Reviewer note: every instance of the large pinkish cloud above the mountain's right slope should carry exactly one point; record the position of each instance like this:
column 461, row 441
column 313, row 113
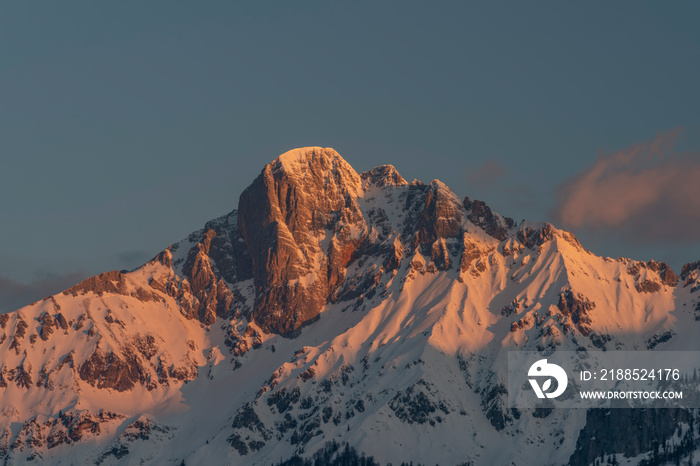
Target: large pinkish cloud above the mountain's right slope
column 644, row 193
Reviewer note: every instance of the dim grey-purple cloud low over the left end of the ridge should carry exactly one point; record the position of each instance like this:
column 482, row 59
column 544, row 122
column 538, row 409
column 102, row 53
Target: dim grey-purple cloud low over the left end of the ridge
column 14, row 294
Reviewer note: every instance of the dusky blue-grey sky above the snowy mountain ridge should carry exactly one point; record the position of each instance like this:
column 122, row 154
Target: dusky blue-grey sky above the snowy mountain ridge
column 124, row 126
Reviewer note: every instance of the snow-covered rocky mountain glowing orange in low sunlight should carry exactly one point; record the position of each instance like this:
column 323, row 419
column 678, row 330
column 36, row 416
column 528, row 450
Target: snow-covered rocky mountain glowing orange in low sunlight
column 334, row 307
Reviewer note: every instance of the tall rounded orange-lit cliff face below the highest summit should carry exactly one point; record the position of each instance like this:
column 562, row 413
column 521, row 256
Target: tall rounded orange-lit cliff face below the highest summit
column 302, row 225
